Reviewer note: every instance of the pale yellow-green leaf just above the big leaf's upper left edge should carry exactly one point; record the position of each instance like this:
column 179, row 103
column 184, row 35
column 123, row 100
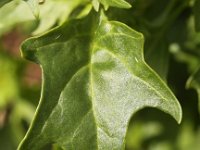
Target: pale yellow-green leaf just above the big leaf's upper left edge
column 55, row 11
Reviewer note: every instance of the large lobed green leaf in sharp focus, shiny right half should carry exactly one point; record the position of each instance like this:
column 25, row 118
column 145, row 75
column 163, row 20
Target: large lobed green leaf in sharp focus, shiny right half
column 94, row 79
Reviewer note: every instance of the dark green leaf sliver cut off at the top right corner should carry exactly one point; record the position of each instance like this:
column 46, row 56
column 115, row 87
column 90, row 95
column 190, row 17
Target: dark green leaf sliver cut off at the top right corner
column 197, row 15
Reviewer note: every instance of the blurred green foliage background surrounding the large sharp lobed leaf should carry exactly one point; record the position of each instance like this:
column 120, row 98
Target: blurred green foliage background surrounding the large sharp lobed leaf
column 172, row 48
